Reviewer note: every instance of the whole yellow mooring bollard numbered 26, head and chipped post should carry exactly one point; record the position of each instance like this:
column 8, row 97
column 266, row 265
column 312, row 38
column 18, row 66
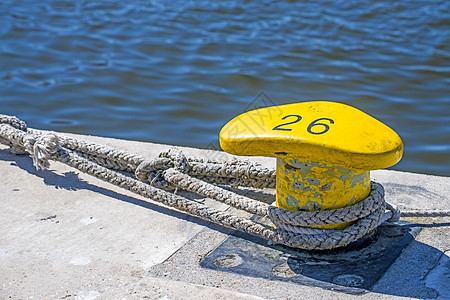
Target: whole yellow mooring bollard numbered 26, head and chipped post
column 325, row 151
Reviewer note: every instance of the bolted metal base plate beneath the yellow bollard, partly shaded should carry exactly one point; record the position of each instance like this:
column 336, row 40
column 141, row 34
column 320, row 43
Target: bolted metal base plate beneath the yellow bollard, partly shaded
column 353, row 269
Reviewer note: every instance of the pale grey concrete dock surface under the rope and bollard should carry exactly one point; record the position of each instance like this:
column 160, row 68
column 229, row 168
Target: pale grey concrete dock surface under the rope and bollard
column 67, row 235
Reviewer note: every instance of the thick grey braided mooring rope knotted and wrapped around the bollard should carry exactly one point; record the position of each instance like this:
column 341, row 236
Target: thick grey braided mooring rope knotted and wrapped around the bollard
column 160, row 179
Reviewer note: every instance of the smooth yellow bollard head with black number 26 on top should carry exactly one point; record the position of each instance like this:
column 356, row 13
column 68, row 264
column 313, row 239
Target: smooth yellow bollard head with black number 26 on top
column 319, row 131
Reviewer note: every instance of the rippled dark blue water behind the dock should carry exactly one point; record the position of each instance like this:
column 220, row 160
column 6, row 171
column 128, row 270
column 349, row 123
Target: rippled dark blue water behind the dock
column 176, row 71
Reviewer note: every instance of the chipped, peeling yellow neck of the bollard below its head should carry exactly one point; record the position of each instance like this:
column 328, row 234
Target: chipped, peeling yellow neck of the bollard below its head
column 312, row 186
